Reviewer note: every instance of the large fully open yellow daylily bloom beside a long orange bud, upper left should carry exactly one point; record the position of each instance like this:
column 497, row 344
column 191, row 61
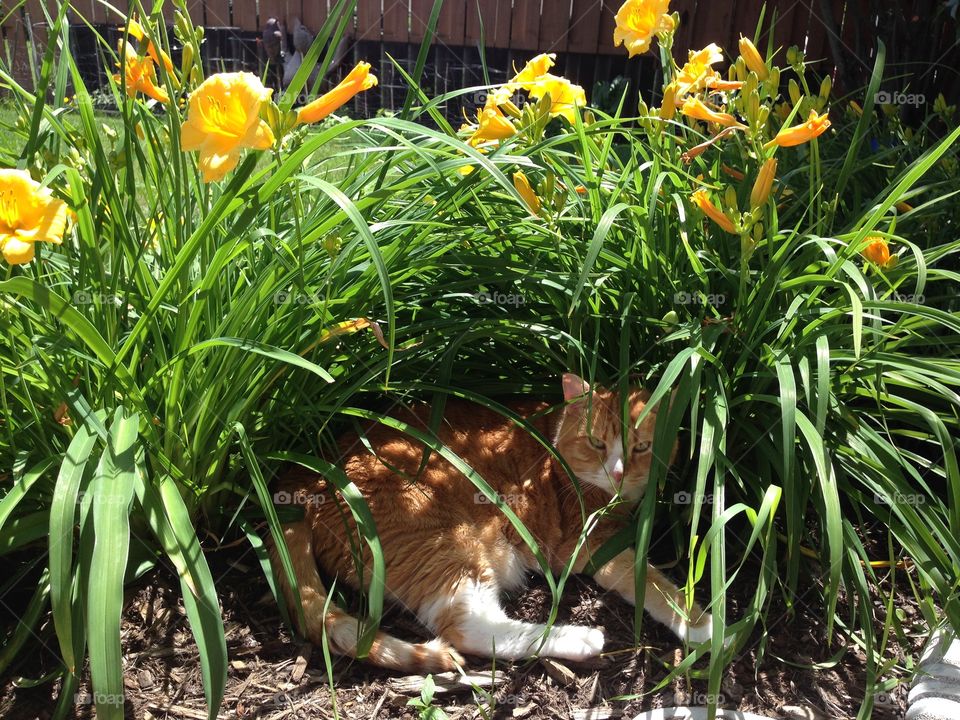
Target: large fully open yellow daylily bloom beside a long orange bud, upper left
column 223, row 118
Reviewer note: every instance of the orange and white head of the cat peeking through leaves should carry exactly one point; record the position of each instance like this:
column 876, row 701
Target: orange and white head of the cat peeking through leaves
column 590, row 438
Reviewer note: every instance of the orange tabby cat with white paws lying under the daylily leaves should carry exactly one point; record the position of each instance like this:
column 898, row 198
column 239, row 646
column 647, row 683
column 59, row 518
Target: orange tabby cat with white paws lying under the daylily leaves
column 449, row 553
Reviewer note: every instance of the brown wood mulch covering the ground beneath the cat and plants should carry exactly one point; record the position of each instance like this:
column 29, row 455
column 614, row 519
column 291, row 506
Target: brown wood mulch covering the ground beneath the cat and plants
column 273, row 676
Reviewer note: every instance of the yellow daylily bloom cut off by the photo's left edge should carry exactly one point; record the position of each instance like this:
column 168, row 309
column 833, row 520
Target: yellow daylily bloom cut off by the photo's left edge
column 28, row 214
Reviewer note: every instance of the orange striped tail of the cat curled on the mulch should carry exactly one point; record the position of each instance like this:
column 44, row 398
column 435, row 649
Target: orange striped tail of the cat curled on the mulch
column 342, row 630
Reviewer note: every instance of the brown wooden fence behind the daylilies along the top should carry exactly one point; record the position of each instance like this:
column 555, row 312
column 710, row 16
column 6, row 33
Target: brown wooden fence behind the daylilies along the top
column 840, row 34
